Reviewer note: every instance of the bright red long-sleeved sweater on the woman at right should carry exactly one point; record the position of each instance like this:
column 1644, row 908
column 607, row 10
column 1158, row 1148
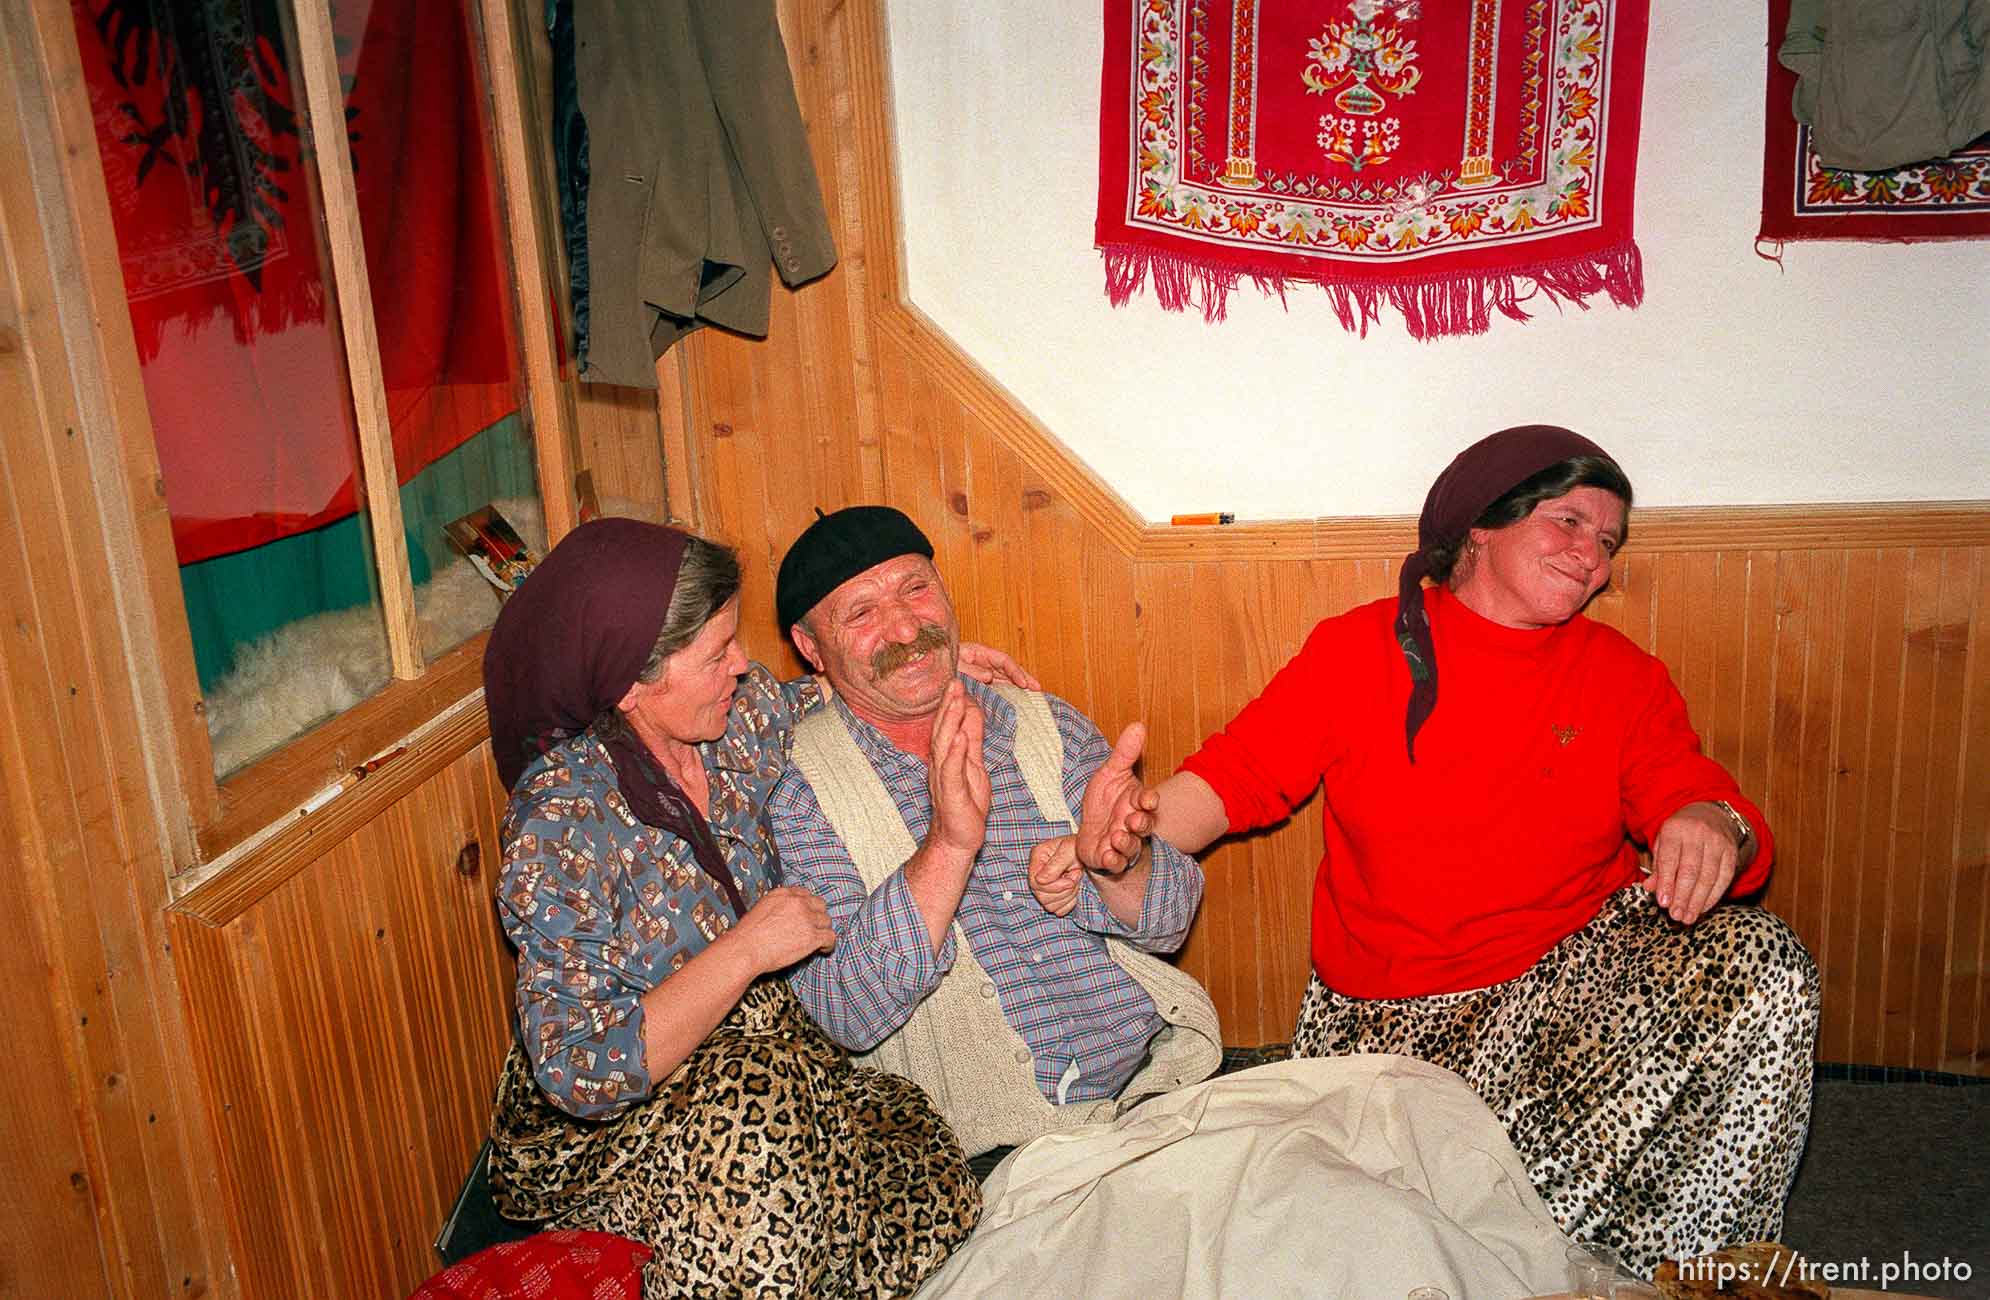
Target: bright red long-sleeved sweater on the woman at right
column 1551, row 752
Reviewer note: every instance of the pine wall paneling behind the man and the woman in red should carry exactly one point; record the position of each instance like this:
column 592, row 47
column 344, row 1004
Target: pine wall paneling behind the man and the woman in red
column 1838, row 660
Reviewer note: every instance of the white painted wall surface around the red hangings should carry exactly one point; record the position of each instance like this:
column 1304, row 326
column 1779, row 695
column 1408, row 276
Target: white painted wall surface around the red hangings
column 1860, row 373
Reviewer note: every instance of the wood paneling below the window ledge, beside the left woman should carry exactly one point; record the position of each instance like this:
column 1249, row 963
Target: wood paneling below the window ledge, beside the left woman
column 349, row 1028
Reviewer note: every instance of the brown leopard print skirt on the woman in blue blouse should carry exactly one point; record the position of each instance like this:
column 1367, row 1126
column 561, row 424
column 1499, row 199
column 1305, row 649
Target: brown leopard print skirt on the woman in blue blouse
column 767, row 1166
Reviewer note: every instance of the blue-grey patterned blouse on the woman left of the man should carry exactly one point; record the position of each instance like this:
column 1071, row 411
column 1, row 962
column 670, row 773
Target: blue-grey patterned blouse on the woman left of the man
column 604, row 909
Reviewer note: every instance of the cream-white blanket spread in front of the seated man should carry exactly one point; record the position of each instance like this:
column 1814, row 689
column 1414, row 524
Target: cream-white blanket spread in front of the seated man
column 1360, row 1178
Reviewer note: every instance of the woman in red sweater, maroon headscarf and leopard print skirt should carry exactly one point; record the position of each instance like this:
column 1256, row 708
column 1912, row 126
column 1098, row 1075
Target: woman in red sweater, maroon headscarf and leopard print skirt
column 1482, row 903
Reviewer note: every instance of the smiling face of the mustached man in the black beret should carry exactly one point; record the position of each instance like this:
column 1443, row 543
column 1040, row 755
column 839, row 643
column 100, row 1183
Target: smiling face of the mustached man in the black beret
column 887, row 640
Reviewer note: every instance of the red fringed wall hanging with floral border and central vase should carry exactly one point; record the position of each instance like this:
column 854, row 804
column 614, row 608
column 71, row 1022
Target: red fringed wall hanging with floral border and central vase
column 1448, row 158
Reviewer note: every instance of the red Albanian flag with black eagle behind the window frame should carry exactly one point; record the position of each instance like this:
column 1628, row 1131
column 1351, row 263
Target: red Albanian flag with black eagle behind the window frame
column 216, row 206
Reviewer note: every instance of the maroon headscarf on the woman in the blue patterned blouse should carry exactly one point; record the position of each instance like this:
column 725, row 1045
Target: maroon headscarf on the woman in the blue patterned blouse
column 570, row 644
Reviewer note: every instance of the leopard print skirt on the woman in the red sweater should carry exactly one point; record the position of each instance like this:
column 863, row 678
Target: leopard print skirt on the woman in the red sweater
column 1657, row 1078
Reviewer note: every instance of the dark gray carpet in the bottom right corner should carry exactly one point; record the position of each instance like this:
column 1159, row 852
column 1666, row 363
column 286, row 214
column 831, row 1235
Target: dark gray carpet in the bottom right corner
column 1897, row 1174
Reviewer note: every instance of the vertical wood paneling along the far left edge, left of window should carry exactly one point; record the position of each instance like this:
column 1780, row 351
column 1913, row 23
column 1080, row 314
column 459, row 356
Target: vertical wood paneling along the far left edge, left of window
column 108, row 1168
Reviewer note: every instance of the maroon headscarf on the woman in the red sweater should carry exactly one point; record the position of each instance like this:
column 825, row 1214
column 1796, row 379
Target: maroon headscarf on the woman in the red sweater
column 1466, row 491
